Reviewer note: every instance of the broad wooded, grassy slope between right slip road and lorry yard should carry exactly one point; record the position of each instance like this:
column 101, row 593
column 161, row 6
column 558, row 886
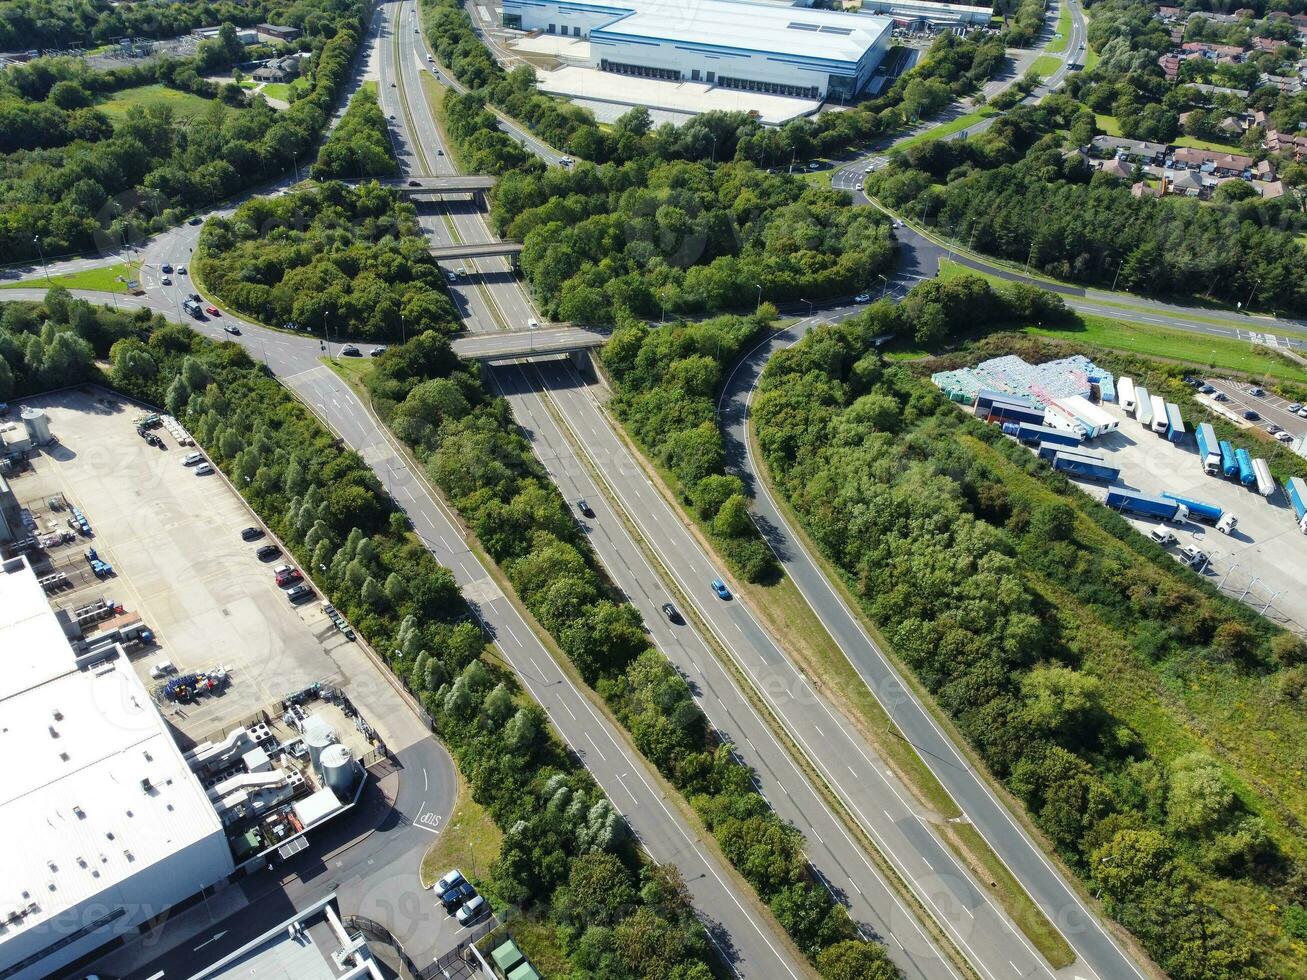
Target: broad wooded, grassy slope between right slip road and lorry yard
column 1040, row 621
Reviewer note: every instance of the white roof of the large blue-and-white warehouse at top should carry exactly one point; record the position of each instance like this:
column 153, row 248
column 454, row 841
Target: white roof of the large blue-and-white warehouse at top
column 789, row 32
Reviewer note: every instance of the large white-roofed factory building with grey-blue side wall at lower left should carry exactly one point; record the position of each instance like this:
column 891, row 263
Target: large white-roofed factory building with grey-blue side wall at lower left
column 104, row 823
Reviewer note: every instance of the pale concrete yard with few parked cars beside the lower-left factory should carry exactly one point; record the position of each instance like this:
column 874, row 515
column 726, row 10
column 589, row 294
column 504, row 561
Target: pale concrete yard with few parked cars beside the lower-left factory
column 174, row 542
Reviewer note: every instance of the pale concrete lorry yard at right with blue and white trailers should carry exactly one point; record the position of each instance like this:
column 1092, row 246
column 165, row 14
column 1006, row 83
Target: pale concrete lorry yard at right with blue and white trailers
column 1262, row 563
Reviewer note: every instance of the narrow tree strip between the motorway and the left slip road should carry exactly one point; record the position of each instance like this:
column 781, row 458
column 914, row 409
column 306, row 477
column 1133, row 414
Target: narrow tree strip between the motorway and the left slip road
column 471, row 449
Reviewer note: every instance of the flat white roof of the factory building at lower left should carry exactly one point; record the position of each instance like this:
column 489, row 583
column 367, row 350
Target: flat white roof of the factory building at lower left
column 96, row 790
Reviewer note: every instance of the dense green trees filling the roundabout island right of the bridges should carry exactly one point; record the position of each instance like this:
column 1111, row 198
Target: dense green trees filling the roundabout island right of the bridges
column 648, row 238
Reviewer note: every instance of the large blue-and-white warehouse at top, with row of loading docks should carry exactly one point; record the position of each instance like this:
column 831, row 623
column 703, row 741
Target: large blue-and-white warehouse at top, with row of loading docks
column 739, row 45
